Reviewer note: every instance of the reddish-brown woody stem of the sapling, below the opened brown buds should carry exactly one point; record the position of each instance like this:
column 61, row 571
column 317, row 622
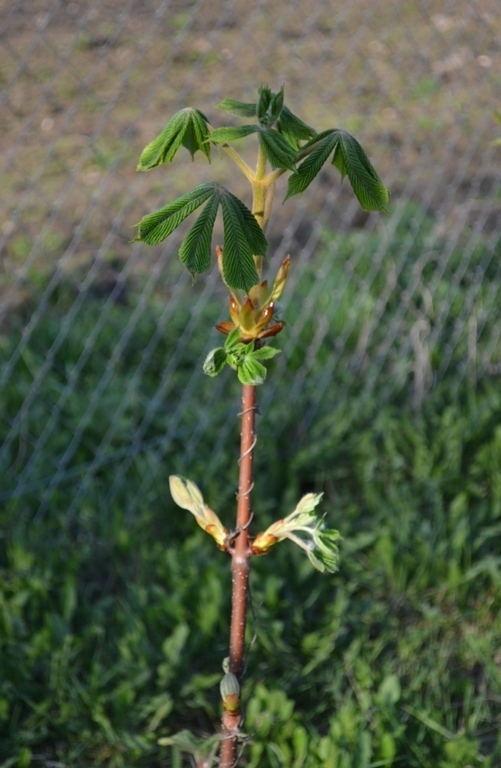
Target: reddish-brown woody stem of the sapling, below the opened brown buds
column 240, row 568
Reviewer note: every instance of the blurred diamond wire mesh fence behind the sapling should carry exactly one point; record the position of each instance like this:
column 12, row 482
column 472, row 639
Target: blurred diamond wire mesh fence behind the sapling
column 86, row 85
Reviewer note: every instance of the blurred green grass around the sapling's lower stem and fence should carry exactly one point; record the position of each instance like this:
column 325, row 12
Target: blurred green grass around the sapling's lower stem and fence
column 114, row 611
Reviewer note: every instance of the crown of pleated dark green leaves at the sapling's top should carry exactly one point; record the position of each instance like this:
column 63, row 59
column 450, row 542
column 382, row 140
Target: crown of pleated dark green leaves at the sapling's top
column 289, row 145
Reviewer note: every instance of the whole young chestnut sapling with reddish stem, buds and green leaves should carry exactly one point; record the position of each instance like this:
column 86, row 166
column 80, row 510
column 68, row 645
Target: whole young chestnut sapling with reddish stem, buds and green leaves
column 285, row 144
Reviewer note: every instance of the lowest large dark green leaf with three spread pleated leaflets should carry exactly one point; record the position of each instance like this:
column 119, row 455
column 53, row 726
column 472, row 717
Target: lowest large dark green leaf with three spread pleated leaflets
column 243, row 237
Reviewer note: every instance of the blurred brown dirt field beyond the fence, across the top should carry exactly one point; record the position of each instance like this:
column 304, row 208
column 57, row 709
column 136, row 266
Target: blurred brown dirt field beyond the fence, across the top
column 85, row 85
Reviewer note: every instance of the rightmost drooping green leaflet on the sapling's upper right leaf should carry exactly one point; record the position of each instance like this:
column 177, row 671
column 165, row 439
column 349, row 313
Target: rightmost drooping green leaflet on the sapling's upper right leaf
column 350, row 159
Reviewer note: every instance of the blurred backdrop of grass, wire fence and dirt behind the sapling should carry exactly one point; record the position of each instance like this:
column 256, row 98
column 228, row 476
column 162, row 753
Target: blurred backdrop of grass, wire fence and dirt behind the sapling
column 386, row 394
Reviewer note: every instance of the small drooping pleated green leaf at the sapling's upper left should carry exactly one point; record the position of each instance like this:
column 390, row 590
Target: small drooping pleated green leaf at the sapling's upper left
column 188, row 128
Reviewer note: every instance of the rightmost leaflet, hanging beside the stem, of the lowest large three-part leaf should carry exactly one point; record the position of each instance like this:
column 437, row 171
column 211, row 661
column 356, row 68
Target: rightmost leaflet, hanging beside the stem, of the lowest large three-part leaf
column 243, row 238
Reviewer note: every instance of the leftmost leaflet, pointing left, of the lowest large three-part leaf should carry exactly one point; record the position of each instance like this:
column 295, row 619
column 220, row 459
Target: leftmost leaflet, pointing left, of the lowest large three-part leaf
column 156, row 226
